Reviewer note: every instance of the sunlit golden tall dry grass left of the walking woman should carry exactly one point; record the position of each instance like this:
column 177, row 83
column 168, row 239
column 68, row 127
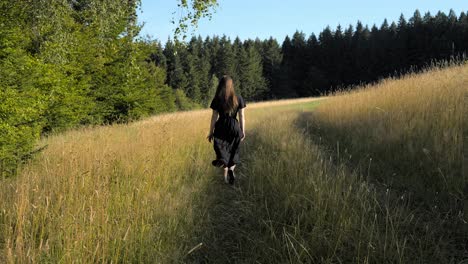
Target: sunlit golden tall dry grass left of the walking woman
column 122, row 193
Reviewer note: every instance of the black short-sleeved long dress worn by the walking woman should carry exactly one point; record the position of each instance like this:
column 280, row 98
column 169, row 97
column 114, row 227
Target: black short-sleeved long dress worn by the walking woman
column 227, row 134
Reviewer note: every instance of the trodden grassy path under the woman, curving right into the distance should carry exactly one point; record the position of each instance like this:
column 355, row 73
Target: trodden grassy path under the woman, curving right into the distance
column 232, row 230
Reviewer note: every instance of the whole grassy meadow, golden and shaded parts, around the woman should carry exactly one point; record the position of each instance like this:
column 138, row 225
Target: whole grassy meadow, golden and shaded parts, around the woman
column 368, row 176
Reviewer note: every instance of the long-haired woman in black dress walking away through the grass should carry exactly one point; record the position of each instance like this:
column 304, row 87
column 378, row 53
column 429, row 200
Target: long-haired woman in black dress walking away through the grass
column 225, row 130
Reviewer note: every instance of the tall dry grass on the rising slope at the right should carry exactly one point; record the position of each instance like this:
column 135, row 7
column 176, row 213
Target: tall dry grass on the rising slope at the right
column 406, row 135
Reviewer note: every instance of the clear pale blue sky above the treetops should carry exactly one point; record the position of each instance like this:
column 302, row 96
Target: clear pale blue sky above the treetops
column 278, row 18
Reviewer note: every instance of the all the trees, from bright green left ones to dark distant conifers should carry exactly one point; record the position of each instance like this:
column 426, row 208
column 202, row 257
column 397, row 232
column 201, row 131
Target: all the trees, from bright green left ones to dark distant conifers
column 69, row 63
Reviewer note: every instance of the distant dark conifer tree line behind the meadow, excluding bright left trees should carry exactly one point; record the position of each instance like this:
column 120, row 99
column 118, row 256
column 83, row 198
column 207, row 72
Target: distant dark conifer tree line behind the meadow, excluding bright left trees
column 314, row 65
